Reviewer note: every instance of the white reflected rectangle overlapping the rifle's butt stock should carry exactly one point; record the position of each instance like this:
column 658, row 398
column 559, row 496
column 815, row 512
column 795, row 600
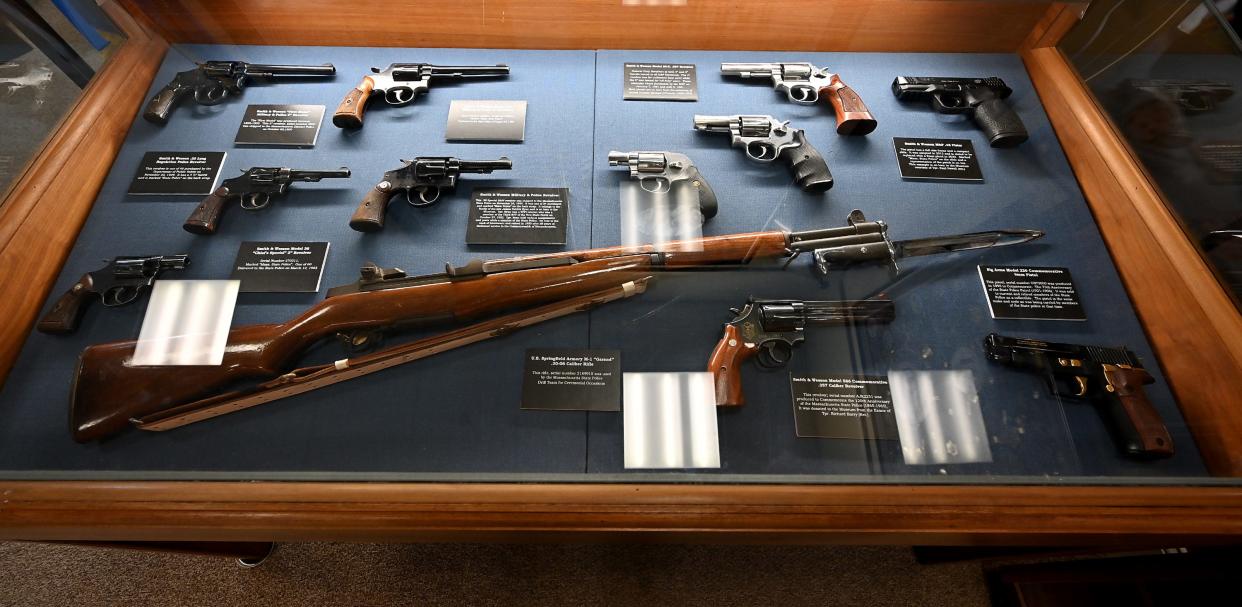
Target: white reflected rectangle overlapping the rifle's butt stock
column 187, row 323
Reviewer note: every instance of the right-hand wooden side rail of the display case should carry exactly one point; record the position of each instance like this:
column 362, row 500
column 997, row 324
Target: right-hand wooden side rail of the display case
column 1190, row 320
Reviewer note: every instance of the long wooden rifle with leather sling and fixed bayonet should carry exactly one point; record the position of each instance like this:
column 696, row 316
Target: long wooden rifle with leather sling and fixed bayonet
column 110, row 394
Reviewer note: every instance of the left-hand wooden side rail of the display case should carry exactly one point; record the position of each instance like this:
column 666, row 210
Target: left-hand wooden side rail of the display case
column 42, row 218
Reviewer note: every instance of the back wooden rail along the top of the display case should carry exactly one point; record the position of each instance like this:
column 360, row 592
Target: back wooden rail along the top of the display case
column 823, row 25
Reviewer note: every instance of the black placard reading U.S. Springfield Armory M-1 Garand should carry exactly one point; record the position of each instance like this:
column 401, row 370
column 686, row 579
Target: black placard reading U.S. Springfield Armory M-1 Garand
column 572, row 380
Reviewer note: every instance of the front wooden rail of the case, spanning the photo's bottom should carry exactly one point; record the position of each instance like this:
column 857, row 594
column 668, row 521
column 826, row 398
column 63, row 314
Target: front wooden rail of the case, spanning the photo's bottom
column 420, row 512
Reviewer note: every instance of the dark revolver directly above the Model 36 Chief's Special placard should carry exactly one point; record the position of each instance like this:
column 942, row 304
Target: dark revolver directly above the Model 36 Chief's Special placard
column 254, row 189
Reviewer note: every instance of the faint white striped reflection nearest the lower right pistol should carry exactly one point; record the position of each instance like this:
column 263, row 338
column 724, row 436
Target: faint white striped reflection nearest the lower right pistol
column 938, row 418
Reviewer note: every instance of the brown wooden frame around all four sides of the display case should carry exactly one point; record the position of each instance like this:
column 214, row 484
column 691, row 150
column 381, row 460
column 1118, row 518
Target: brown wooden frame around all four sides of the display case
column 1190, row 320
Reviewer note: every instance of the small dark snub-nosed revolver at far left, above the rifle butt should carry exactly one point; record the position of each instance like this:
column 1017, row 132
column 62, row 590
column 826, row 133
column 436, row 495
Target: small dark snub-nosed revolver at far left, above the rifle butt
column 117, row 284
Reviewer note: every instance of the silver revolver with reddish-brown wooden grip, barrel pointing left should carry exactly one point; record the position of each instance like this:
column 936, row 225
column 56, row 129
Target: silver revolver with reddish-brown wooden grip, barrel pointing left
column 805, row 84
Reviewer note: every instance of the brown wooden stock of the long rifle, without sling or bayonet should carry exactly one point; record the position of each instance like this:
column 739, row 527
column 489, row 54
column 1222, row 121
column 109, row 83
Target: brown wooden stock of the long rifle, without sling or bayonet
column 109, row 392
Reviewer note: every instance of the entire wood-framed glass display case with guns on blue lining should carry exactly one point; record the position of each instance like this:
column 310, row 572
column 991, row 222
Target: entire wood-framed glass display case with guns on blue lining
column 917, row 261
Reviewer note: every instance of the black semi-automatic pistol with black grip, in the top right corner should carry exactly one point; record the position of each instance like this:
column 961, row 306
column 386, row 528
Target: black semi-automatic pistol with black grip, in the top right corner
column 981, row 99
